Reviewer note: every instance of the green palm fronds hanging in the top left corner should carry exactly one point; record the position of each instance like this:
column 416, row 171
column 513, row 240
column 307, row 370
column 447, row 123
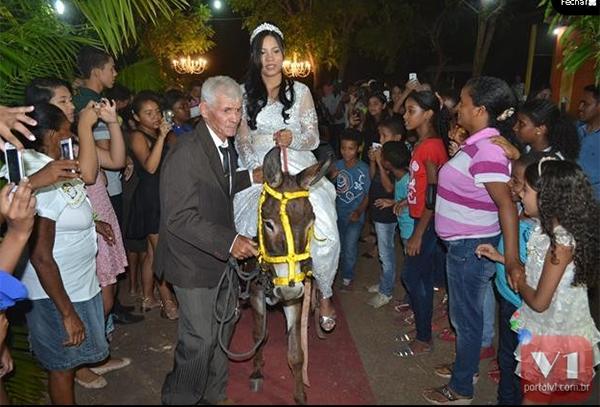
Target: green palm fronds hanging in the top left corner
column 35, row 42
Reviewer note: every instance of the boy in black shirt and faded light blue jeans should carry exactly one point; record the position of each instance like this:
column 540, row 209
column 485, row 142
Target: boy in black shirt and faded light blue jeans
column 385, row 221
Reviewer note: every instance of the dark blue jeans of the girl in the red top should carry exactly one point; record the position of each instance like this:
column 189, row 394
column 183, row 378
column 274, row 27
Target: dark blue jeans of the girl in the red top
column 418, row 278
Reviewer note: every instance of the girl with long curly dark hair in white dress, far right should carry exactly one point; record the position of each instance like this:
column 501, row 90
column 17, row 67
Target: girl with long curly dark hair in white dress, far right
column 562, row 262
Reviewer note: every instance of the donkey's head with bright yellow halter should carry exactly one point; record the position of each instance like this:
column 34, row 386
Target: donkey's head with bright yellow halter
column 286, row 223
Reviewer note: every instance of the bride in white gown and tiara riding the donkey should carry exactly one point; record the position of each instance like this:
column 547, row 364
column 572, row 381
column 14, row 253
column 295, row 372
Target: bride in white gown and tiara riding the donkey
column 273, row 102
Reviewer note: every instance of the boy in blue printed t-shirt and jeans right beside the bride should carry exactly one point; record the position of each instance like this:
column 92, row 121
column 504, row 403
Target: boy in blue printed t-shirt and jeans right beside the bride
column 352, row 181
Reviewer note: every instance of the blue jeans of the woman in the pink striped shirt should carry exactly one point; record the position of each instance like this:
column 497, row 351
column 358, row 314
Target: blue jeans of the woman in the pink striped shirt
column 468, row 280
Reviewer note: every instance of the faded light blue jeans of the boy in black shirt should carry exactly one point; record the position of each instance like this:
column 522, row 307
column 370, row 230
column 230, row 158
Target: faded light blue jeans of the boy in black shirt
column 387, row 256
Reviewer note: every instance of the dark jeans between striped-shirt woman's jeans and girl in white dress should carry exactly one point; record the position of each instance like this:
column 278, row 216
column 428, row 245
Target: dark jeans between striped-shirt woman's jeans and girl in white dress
column 509, row 388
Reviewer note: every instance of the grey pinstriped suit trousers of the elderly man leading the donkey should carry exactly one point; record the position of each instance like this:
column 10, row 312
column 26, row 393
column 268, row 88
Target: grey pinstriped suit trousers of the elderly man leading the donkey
column 200, row 372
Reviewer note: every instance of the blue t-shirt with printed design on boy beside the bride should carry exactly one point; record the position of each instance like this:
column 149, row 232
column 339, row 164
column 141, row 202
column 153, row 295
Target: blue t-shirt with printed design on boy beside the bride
column 351, row 186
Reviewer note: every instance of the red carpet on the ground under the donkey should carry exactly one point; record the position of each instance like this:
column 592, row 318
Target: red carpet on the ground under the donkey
column 335, row 370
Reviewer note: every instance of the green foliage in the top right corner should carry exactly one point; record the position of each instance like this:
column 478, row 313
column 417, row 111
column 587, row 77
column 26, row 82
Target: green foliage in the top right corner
column 580, row 40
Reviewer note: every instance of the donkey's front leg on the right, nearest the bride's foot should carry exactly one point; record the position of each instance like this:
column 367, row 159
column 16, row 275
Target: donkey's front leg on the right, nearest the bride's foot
column 295, row 354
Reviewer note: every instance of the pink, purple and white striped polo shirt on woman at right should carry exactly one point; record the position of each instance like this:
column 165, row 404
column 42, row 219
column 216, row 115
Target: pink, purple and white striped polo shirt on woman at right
column 464, row 209
